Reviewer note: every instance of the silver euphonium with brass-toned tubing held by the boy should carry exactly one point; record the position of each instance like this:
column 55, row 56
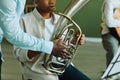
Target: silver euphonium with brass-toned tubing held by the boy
column 65, row 29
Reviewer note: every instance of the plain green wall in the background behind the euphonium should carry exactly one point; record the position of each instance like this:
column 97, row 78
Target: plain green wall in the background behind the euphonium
column 88, row 18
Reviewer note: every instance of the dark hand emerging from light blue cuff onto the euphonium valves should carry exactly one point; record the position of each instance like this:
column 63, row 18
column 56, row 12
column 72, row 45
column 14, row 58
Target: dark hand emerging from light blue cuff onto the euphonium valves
column 60, row 49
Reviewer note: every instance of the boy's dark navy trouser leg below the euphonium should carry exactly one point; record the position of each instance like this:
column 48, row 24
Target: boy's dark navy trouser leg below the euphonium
column 71, row 73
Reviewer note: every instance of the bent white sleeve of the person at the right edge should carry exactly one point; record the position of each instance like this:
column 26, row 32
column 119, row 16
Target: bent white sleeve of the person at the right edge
column 109, row 12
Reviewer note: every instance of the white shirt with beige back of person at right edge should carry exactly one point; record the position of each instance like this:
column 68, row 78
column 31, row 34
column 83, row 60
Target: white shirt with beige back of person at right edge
column 107, row 15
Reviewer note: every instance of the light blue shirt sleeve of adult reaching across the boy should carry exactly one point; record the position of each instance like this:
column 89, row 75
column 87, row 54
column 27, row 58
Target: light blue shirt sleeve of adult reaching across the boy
column 9, row 23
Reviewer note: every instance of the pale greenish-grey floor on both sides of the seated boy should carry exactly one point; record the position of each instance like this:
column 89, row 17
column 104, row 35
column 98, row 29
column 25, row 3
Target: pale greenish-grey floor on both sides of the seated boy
column 90, row 59
